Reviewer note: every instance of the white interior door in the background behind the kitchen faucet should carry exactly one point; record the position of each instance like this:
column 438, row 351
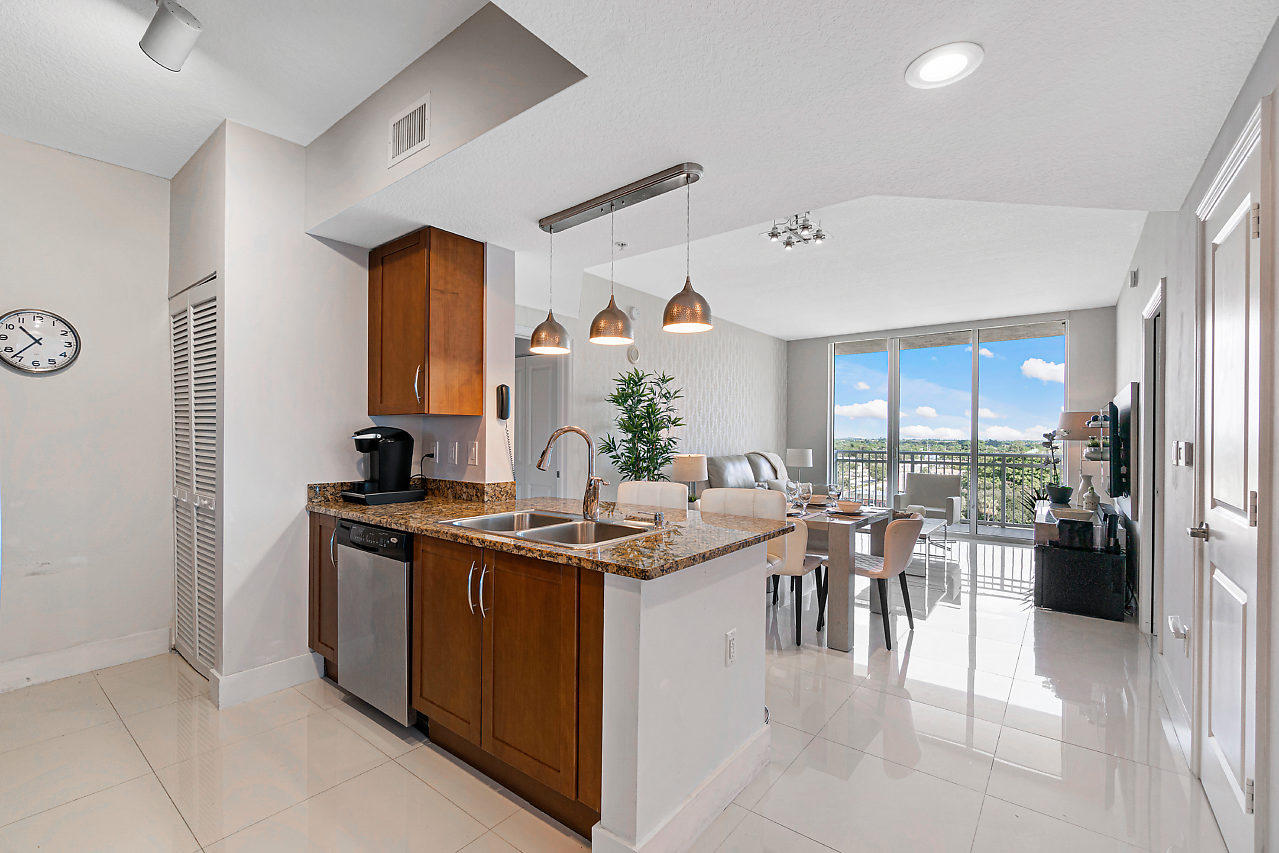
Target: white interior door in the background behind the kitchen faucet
column 538, row 411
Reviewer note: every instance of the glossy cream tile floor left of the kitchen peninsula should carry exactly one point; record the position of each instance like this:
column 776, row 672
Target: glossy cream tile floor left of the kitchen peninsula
column 136, row 758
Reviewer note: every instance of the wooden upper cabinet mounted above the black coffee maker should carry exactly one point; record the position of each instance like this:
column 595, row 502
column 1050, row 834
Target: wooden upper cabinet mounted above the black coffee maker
column 427, row 302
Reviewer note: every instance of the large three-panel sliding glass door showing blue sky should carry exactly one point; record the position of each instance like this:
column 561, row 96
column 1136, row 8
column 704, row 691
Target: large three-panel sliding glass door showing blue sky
column 973, row 405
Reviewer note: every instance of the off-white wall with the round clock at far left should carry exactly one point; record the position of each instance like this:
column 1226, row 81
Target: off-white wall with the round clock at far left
column 86, row 549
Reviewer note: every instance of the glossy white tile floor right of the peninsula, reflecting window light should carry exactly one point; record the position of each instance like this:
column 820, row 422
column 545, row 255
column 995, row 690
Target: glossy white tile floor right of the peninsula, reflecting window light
column 991, row 727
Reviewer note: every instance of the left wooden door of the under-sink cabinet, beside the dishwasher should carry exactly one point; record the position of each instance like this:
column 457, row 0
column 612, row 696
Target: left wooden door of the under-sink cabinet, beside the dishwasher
column 448, row 635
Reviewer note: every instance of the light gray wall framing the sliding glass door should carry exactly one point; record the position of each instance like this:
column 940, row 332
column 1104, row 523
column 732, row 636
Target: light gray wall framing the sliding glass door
column 1089, row 377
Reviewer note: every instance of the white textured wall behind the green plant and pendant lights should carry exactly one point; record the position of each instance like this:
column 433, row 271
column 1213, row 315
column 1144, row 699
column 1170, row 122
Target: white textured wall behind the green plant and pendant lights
column 734, row 380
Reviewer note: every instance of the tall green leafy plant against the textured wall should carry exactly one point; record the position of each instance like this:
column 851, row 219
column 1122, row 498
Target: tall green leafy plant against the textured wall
column 647, row 415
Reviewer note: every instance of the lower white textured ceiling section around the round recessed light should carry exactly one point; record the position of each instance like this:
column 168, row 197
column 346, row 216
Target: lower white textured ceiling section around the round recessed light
column 797, row 106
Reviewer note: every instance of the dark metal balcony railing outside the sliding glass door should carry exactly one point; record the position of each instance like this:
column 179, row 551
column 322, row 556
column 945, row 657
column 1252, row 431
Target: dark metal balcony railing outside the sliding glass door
column 1005, row 480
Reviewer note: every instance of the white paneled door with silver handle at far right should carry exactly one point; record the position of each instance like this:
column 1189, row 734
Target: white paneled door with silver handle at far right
column 1228, row 494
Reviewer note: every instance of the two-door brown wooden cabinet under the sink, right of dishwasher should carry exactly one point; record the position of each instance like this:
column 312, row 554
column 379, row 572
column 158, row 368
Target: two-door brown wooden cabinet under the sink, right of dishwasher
column 507, row 661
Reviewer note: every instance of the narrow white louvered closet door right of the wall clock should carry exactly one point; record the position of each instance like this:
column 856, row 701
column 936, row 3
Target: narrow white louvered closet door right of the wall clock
column 194, row 328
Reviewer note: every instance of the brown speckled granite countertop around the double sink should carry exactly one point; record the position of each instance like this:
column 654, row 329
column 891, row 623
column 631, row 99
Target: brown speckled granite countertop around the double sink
column 687, row 539
